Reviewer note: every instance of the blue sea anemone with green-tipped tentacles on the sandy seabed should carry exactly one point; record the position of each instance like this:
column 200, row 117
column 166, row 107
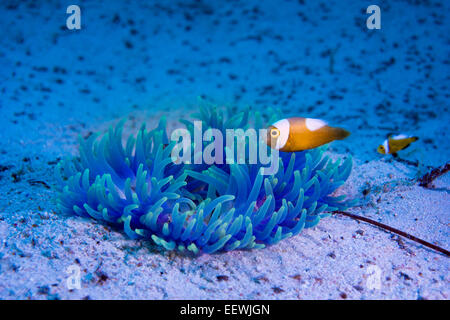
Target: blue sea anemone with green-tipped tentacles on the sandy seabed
column 198, row 208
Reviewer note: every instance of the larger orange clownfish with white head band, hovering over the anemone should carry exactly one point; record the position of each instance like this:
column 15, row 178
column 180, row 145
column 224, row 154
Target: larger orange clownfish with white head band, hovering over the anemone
column 298, row 134
